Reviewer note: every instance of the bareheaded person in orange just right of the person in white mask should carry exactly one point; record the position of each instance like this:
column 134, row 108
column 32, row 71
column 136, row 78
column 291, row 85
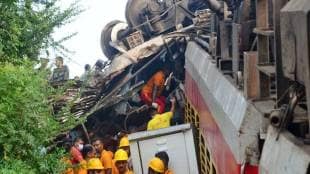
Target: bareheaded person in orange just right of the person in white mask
column 88, row 153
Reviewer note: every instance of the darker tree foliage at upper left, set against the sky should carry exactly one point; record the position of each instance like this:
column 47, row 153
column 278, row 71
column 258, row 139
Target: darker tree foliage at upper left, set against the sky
column 26, row 27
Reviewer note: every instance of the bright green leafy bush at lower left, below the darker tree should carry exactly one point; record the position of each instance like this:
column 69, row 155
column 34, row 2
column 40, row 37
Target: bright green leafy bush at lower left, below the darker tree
column 26, row 122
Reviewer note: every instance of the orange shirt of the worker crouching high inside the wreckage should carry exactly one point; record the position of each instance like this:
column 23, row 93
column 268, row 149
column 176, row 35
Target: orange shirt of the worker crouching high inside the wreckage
column 158, row 79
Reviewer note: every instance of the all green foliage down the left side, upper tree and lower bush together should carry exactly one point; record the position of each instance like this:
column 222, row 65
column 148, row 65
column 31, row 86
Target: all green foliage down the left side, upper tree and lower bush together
column 27, row 125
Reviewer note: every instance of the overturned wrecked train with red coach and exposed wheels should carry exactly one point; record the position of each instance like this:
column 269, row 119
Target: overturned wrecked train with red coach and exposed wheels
column 241, row 74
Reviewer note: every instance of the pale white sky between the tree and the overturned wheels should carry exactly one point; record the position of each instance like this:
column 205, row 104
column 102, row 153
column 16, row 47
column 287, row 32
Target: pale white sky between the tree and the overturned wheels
column 89, row 24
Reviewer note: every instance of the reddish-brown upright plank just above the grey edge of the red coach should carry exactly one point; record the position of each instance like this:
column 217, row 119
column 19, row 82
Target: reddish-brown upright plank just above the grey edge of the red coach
column 251, row 88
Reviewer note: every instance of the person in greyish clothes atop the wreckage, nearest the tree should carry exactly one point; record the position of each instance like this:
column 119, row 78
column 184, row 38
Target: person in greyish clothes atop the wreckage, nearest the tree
column 61, row 72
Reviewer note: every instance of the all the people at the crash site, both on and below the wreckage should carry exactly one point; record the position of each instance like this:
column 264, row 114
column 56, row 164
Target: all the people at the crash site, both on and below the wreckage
column 95, row 158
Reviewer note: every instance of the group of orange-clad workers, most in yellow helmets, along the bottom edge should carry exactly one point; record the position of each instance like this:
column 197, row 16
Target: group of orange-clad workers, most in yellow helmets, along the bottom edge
column 96, row 159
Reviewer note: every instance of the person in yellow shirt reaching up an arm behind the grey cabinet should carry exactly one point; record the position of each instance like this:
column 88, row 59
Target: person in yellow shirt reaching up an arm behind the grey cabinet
column 159, row 121
